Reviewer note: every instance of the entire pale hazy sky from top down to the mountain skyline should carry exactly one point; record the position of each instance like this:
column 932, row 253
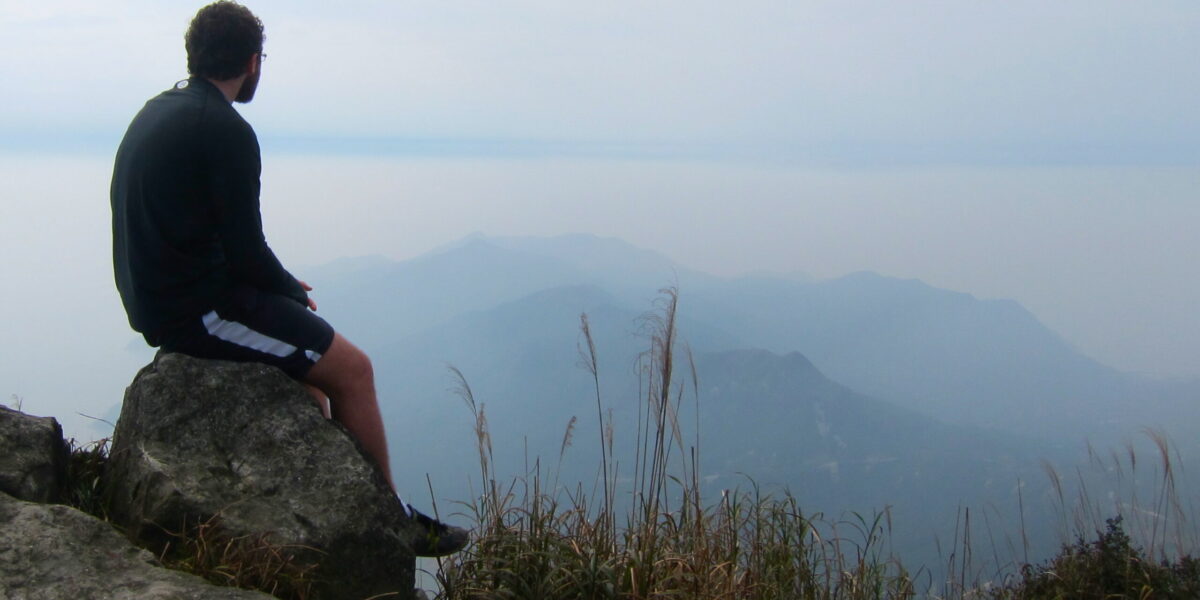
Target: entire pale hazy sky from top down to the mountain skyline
column 1042, row 152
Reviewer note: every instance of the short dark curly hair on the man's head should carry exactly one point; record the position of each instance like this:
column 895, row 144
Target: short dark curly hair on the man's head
column 221, row 39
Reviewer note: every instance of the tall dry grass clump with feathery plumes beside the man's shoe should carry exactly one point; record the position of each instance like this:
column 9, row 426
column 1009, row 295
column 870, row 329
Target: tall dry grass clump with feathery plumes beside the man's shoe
column 536, row 543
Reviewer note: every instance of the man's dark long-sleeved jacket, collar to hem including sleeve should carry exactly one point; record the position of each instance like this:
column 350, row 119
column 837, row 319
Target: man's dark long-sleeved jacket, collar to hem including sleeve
column 187, row 226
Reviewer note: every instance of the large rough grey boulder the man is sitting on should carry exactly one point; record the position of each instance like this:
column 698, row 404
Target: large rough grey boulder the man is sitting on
column 248, row 446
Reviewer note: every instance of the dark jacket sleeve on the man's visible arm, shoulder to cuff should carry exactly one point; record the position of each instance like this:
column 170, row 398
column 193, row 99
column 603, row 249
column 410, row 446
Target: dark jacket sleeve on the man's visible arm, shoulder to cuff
column 235, row 171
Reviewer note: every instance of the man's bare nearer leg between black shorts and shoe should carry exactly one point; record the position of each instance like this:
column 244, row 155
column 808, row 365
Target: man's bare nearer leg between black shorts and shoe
column 346, row 376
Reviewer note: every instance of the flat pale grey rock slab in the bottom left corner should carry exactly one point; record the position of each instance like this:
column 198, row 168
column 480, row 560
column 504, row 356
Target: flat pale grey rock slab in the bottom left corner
column 55, row 553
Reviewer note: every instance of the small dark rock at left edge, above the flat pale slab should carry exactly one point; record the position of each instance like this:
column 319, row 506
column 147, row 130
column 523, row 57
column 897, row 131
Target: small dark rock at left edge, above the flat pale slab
column 33, row 457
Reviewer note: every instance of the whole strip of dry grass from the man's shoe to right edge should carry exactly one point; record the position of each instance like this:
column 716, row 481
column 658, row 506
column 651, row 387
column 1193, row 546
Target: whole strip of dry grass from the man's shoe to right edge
column 537, row 542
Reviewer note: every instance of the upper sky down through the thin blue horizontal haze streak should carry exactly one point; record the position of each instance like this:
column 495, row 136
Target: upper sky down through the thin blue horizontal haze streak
column 847, row 82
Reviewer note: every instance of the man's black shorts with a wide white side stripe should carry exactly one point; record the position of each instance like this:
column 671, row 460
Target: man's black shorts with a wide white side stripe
column 256, row 327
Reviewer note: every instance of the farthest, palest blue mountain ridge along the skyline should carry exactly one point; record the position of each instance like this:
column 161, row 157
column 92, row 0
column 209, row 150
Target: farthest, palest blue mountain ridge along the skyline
column 946, row 355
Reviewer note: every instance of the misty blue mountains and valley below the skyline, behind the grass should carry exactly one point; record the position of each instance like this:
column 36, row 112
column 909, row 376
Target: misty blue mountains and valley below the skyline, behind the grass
column 962, row 422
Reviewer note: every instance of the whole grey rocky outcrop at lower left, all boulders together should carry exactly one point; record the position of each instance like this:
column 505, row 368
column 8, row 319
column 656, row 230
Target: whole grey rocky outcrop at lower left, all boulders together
column 238, row 449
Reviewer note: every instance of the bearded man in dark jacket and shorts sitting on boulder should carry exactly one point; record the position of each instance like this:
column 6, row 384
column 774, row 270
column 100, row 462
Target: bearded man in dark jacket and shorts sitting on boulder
column 193, row 267
